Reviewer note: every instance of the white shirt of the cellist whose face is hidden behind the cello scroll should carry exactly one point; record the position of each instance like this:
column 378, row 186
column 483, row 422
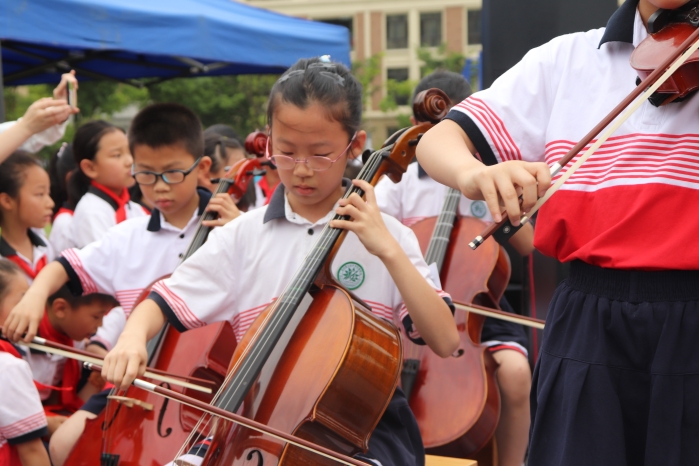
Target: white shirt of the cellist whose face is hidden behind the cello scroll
column 418, row 197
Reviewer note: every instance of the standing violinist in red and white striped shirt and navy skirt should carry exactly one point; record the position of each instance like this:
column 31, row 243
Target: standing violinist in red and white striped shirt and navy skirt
column 615, row 384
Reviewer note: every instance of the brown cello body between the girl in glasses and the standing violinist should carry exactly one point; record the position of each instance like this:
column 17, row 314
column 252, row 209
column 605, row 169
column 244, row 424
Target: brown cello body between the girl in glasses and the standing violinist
column 456, row 400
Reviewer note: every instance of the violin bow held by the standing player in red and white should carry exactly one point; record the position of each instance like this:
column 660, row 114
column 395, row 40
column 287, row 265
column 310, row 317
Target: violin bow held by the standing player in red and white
column 651, row 83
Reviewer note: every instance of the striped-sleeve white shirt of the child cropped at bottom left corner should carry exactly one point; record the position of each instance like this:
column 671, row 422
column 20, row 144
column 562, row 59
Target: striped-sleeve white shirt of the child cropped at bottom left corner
column 22, row 416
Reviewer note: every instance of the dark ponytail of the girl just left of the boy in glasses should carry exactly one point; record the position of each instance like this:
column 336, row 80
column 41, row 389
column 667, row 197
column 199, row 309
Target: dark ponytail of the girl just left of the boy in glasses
column 86, row 144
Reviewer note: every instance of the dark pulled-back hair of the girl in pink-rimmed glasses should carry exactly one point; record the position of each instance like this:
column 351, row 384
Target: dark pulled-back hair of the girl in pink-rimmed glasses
column 321, row 81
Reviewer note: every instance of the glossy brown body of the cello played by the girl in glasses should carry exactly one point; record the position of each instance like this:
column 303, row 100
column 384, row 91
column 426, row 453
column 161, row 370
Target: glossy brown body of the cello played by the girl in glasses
column 330, row 380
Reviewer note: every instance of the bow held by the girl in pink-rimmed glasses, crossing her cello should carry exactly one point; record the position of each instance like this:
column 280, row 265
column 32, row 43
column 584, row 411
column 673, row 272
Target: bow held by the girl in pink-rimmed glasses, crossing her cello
column 240, row 420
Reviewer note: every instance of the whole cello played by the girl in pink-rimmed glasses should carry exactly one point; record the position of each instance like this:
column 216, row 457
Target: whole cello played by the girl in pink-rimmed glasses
column 317, row 362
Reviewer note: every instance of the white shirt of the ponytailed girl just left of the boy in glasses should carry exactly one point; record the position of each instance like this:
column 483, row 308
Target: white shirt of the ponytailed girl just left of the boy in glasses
column 95, row 214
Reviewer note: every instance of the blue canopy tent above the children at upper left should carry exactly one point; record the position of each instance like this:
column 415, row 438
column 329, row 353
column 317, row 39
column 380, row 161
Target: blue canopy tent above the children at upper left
column 129, row 40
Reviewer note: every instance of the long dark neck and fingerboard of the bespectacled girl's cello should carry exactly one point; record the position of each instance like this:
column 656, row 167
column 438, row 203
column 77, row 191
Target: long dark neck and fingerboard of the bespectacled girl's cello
column 249, row 367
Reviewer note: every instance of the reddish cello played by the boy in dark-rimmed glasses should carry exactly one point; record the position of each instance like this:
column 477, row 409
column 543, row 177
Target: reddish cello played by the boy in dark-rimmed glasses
column 138, row 427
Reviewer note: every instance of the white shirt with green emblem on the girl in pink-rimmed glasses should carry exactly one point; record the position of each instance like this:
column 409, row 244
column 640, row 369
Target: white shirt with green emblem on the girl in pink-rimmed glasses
column 246, row 264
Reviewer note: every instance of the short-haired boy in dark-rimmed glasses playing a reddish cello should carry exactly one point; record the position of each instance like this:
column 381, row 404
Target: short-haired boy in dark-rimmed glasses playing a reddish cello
column 166, row 141
